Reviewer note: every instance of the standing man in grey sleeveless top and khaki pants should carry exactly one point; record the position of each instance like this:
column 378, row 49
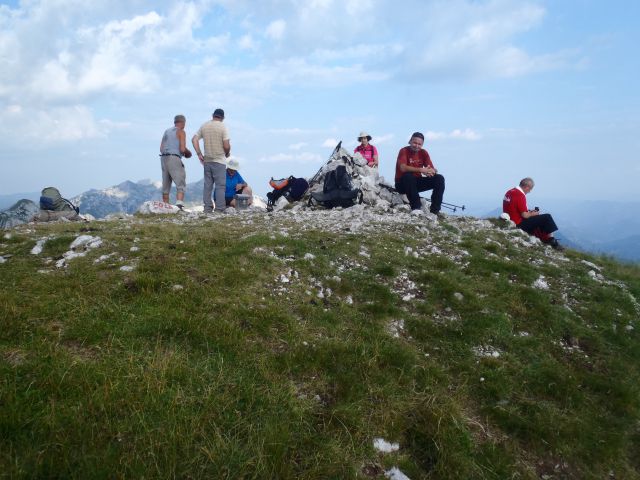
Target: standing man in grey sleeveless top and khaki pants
column 172, row 148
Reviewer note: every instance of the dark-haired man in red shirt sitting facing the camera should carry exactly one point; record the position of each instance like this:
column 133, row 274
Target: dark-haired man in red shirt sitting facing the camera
column 415, row 173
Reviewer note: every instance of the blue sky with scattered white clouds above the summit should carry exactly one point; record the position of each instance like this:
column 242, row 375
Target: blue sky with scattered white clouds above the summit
column 501, row 89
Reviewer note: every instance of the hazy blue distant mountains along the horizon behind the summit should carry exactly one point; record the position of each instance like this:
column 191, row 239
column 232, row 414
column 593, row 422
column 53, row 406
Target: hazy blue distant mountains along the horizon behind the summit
column 605, row 227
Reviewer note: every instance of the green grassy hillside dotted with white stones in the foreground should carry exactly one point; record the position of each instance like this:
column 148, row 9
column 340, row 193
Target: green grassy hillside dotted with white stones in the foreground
column 280, row 346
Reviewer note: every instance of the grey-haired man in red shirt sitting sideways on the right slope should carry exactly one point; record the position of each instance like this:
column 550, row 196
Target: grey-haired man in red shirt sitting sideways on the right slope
column 533, row 222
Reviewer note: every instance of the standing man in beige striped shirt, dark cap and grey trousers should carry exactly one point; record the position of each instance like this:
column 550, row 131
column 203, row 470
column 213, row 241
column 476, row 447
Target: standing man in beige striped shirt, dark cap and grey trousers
column 216, row 150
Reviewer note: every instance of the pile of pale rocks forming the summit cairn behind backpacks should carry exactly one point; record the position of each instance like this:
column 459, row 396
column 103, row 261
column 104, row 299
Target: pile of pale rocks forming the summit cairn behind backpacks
column 376, row 191
